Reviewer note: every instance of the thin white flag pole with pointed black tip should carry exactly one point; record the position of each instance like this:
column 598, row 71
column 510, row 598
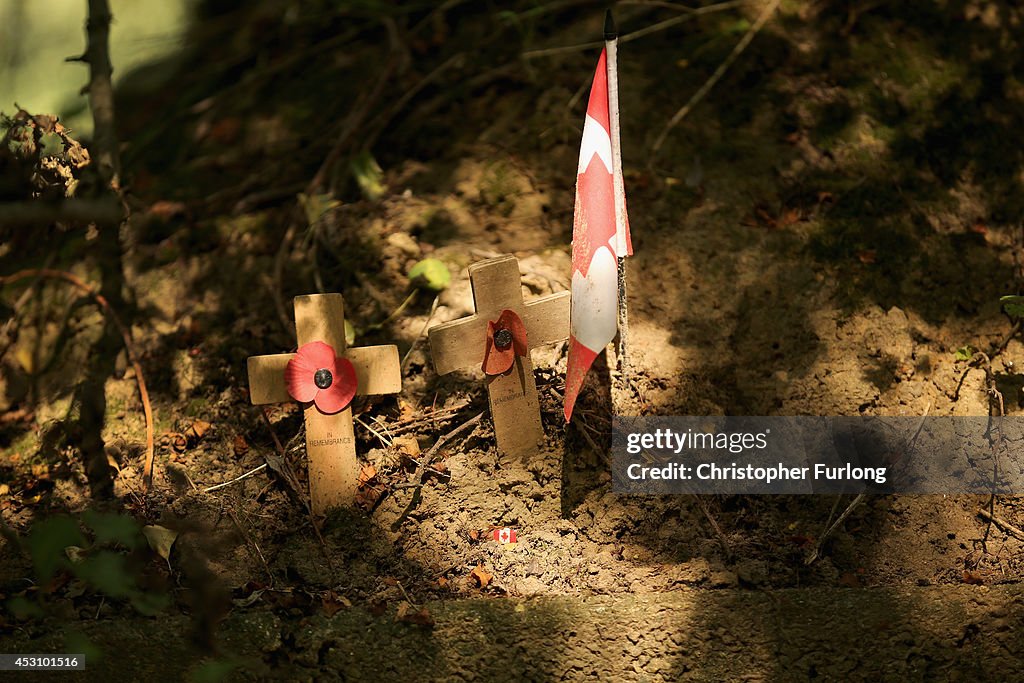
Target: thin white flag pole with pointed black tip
column 611, row 47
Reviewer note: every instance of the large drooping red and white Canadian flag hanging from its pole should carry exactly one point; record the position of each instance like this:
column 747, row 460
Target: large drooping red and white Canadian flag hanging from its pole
column 595, row 243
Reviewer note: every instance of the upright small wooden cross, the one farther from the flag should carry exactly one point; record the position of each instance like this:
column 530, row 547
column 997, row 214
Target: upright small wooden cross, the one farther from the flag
column 334, row 469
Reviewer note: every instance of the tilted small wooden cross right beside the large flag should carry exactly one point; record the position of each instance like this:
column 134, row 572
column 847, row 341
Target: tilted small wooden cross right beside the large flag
column 515, row 408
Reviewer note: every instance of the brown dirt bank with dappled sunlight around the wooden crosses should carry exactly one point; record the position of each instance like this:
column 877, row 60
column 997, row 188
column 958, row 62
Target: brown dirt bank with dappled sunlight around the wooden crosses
column 825, row 232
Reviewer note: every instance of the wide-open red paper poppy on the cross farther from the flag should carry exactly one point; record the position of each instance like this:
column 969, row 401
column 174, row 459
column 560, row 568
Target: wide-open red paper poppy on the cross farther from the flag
column 317, row 375
